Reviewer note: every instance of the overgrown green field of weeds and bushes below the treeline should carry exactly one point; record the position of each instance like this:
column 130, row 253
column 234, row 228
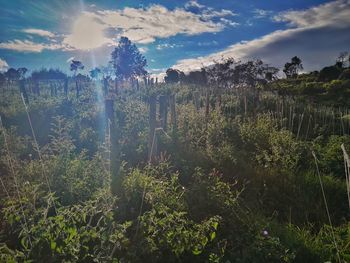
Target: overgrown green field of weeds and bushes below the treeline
column 233, row 184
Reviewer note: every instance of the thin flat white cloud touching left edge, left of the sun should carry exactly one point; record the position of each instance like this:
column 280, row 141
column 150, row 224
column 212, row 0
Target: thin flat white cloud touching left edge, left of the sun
column 29, row 46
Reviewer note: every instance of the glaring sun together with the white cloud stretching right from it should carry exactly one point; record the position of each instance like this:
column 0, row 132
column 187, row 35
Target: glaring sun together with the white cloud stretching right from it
column 143, row 25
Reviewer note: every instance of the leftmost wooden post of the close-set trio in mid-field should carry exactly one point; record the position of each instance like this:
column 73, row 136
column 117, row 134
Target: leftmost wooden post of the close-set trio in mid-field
column 152, row 138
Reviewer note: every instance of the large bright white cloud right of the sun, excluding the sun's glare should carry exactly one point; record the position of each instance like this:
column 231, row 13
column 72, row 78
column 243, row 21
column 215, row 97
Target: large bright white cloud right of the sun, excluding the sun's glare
column 156, row 21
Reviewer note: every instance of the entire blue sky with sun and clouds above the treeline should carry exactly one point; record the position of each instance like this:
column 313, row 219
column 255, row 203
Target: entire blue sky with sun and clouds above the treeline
column 186, row 35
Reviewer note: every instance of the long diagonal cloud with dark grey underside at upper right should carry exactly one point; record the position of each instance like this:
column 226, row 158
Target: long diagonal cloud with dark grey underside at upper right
column 321, row 33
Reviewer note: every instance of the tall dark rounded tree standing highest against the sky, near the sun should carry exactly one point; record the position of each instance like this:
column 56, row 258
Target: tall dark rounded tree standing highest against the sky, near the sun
column 127, row 61
